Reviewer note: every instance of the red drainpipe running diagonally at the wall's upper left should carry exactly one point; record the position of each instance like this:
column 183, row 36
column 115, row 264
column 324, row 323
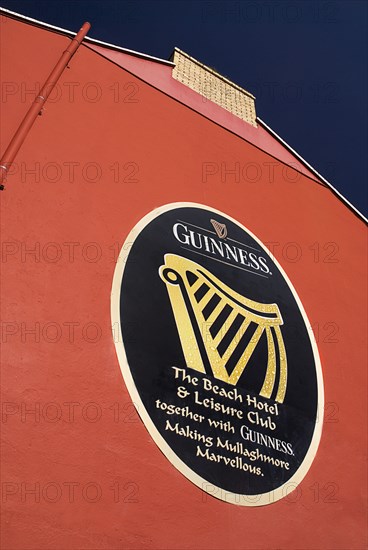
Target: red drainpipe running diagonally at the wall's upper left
column 36, row 107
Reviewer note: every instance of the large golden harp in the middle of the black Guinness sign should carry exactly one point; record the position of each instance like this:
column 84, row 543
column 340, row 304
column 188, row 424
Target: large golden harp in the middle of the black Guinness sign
column 214, row 323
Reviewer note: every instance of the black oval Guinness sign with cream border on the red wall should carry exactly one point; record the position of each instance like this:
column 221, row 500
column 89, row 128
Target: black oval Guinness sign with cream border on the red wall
column 216, row 351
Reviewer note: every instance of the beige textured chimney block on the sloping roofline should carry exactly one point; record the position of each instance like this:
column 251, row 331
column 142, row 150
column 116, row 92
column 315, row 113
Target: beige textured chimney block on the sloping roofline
column 214, row 87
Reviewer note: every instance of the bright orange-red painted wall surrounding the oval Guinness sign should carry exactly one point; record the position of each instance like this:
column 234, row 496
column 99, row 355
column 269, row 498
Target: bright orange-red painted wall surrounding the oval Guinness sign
column 61, row 286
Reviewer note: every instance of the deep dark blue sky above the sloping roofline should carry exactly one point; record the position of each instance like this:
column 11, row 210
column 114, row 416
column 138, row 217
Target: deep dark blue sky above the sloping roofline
column 305, row 61
